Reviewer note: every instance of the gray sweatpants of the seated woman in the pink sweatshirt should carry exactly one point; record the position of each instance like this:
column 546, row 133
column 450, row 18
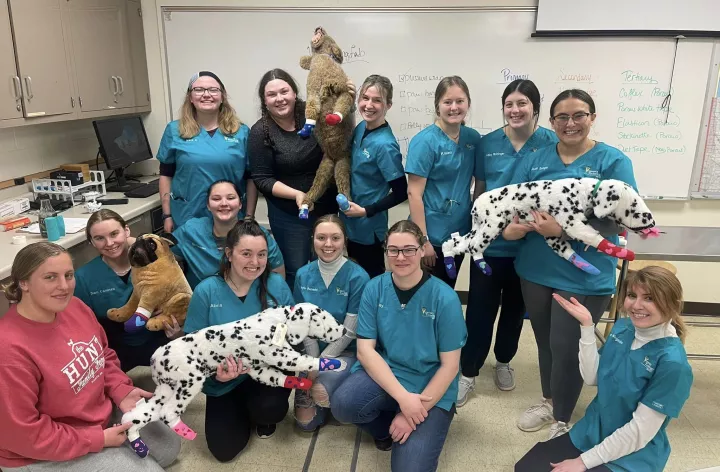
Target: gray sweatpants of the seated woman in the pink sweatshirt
column 164, row 447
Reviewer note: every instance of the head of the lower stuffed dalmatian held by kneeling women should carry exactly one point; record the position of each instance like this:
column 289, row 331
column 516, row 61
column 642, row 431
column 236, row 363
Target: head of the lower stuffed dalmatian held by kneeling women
column 307, row 320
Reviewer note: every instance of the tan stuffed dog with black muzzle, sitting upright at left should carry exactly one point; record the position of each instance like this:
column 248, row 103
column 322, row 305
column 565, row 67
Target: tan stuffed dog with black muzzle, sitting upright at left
column 158, row 283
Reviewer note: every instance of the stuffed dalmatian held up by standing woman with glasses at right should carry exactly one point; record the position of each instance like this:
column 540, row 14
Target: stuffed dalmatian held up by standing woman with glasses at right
column 570, row 202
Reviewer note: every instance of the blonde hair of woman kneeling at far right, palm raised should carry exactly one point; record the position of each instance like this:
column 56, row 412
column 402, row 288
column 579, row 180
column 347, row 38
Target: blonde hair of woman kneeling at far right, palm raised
column 664, row 289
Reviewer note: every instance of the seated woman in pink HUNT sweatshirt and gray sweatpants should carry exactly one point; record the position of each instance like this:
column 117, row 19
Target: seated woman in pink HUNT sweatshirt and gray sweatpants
column 62, row 391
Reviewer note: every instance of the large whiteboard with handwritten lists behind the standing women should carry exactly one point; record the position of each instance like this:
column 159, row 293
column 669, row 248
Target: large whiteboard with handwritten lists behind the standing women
column 627, row 78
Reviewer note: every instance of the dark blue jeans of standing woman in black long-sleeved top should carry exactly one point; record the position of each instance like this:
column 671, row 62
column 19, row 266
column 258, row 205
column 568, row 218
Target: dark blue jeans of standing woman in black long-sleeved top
column 294, row 238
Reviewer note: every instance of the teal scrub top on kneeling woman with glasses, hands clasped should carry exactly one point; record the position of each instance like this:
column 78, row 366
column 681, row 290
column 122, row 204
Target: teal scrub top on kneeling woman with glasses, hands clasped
column 410, row 339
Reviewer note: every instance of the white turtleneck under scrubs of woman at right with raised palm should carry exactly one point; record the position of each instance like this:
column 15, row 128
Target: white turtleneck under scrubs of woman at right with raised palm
column 646, row 422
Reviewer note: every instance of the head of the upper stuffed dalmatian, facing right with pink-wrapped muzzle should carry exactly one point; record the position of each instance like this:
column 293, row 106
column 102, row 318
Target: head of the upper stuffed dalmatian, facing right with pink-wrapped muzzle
column 618, row 201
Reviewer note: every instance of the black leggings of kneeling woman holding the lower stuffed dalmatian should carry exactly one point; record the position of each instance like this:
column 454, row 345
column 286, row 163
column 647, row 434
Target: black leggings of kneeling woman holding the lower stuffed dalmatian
column 229, row 417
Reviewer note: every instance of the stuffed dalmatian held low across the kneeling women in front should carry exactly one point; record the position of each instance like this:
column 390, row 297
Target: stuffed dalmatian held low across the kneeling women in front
column 263, row 342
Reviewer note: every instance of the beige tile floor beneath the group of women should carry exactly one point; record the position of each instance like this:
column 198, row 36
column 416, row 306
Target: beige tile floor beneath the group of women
column 483, row 436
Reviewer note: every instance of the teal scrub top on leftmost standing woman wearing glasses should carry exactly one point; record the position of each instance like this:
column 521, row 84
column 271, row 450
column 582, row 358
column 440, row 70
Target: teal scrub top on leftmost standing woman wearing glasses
column 200, row 161
